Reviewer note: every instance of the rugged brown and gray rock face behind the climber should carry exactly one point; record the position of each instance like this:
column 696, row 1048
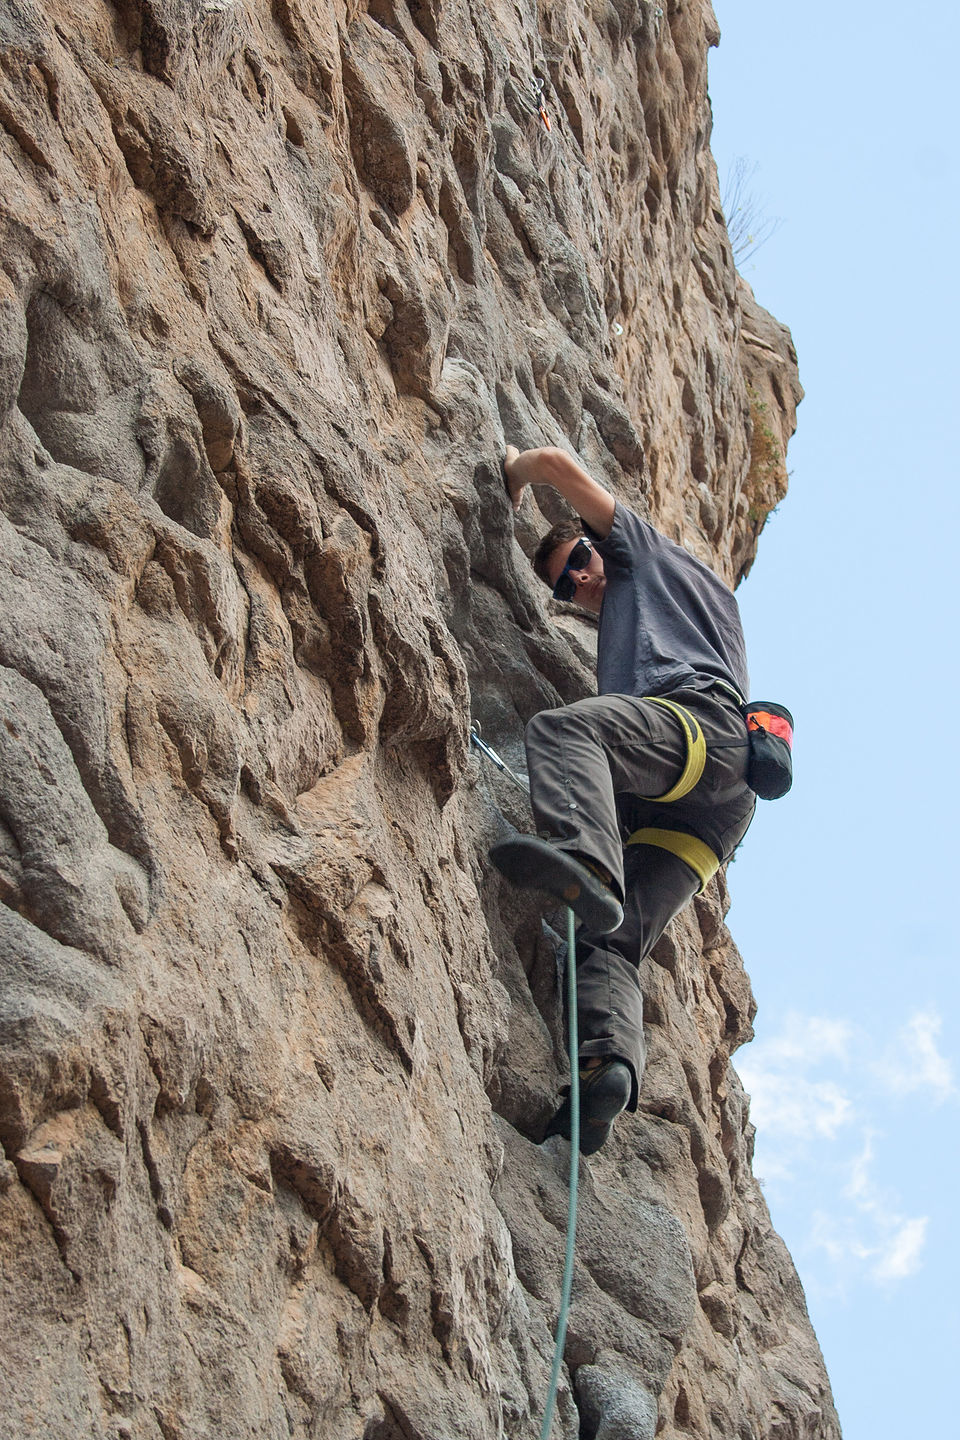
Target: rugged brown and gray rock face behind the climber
column 276, row 1046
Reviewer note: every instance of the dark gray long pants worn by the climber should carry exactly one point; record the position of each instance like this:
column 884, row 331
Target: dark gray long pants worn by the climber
column 594, row 768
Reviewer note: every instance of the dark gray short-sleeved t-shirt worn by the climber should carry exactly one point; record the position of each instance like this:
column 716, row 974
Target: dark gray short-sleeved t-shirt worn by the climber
column 667, row 620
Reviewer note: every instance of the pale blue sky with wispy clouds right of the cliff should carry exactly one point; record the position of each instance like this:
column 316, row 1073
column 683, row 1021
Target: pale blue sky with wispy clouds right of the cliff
column 846, row 896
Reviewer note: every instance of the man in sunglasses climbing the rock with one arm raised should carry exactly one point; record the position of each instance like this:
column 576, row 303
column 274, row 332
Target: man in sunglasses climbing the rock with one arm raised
column 638, row 793
